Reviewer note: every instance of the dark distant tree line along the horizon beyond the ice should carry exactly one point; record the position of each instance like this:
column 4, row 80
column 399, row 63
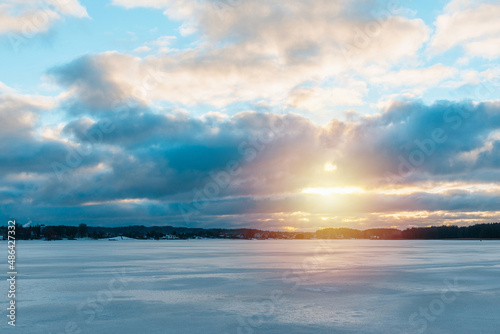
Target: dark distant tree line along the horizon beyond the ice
column 59, row 232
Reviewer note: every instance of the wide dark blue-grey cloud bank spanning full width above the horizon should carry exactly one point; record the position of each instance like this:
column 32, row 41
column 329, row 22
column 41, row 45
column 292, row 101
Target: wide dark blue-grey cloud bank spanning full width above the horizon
column 141, row 166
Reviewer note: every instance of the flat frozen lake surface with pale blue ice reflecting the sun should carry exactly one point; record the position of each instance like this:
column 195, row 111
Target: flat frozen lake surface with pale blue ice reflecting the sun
column 249, row 286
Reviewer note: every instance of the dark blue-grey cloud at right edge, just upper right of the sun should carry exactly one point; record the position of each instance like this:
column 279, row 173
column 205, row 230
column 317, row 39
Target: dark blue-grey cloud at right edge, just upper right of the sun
column 412, row 138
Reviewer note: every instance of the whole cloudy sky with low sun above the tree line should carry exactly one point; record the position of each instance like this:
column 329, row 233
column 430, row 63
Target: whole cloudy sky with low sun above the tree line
column 277, row 115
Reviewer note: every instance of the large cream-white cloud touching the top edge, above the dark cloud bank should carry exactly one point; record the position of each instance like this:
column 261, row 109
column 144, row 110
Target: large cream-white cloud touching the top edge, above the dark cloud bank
column 255, row 50
